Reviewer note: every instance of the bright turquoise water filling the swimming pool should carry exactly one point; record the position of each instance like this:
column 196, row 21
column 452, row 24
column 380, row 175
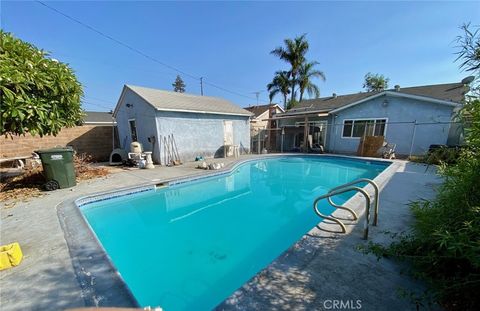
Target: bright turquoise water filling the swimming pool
column 189, row 246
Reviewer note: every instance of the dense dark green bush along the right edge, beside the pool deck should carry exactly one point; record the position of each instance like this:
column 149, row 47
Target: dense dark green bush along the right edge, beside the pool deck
column 444, row 246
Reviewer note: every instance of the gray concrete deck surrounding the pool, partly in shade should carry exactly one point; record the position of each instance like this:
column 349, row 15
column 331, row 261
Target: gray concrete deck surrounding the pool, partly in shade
column 319, row 268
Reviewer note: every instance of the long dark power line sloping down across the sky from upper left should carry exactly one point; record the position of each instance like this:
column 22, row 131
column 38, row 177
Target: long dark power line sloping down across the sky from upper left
column 133, row 49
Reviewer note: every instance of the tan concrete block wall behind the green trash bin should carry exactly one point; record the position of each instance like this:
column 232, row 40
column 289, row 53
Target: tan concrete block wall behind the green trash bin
column 90, row 139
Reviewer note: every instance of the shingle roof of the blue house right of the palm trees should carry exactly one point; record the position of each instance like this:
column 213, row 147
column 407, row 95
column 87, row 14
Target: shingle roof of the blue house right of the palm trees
column 453, row 92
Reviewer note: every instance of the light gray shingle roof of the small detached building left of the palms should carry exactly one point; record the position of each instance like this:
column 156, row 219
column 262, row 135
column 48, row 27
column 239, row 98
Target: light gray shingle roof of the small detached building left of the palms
column 173, row 101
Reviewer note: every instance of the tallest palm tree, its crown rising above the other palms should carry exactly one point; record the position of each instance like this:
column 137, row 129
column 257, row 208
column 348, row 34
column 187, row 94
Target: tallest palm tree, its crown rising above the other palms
column 293, row 53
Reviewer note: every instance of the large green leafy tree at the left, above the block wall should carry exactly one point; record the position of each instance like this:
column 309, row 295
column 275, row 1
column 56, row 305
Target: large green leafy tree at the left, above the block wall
column 38, row 95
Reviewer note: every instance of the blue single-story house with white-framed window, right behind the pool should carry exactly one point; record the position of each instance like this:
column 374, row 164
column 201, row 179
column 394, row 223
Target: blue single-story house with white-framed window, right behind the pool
column 413, row 118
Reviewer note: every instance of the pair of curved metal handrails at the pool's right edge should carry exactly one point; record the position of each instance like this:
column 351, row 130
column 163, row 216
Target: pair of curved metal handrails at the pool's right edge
column 340, row 191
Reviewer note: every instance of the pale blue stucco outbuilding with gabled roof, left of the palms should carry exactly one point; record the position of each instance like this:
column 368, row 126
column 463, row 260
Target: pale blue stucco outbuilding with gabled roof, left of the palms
column 200, row 125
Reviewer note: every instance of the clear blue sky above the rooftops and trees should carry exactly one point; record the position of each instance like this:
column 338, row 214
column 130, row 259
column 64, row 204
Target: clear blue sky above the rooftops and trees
column 228, row 43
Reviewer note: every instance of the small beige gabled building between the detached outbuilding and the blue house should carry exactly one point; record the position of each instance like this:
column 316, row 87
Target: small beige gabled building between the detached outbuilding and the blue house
column 263, row 128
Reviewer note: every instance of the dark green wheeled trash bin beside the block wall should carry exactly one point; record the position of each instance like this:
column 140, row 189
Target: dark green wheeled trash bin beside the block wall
column 58, row 168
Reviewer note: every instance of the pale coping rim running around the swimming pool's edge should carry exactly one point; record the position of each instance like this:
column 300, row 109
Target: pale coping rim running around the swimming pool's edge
column 103, row 285
